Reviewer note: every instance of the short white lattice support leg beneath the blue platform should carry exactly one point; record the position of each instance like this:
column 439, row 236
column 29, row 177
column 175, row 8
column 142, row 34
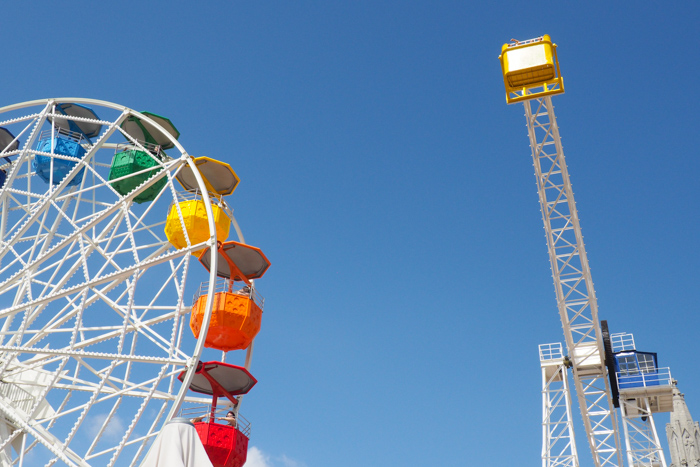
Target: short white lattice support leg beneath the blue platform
column 643, row 446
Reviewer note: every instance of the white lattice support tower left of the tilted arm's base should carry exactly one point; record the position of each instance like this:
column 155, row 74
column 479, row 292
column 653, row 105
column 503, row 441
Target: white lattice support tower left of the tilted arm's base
column 558, row 442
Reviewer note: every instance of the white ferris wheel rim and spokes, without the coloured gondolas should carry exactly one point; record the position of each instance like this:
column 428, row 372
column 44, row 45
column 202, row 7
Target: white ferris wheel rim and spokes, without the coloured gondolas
column 93, row 299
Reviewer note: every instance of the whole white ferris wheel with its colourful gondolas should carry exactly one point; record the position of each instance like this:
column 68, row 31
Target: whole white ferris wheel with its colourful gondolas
column 103, row 238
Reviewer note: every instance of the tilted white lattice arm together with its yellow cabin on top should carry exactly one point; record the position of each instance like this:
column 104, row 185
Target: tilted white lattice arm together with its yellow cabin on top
column 531, row 75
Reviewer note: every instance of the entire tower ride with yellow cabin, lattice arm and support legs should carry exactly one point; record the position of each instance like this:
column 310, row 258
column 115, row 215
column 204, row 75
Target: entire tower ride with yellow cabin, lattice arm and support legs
column 608, row 371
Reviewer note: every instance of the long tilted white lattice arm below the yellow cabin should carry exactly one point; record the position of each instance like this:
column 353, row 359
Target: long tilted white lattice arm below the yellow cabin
column 573, row 285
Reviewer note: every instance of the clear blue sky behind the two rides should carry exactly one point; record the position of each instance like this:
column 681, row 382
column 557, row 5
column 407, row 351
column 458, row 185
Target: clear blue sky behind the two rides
column 392, row 189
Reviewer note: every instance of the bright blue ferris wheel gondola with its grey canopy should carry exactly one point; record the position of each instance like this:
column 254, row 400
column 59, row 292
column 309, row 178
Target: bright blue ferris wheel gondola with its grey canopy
column 67, row 138
